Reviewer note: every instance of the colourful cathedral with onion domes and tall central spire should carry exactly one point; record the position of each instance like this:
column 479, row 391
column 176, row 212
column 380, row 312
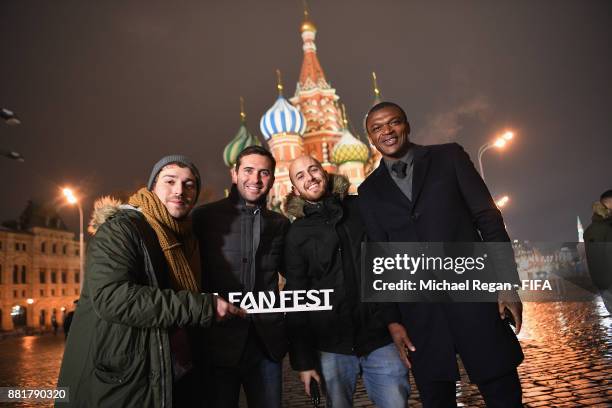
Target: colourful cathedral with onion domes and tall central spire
column 312, row 122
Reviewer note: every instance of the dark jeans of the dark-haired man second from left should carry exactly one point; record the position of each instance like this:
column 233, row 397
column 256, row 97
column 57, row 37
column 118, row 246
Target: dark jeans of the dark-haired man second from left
column 260, row 377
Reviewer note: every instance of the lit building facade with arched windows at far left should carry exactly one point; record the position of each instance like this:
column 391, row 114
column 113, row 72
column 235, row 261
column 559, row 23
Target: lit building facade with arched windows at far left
column 39, row 270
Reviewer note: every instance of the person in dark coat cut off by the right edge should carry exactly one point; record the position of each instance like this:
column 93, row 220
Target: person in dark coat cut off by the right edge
column 598, row 246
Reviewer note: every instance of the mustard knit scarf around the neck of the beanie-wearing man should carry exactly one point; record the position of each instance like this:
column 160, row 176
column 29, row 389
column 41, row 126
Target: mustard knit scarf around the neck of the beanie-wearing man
column 174, row 236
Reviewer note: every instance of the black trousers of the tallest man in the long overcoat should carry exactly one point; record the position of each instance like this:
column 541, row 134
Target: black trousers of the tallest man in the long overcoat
column 501, row 392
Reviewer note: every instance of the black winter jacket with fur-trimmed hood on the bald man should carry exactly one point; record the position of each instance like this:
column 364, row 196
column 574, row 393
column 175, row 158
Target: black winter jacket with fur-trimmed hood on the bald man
column 322, row 251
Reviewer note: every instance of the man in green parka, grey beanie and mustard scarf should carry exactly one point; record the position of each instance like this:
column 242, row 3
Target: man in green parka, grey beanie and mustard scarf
column 128, row 345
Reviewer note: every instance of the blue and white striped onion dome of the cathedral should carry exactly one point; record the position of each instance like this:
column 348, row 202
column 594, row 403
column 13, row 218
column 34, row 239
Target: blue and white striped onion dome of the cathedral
column 282, row 117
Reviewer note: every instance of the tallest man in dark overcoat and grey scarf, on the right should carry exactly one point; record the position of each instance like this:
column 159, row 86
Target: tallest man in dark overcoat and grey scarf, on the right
column 434, row 194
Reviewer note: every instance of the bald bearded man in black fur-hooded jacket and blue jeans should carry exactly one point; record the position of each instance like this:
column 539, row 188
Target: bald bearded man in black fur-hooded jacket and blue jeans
column 322, row 252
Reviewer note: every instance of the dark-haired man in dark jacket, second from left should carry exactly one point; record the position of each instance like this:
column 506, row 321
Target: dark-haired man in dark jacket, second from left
column 241, row 244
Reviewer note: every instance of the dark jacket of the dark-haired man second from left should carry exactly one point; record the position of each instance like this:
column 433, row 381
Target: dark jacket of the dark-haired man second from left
column 219, row 227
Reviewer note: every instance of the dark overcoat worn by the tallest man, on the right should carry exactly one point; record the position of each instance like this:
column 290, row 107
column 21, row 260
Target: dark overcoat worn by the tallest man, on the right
column 450, row 203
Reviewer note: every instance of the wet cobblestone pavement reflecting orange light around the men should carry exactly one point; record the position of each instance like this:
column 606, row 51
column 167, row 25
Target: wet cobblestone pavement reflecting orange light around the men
column 567, row 346
